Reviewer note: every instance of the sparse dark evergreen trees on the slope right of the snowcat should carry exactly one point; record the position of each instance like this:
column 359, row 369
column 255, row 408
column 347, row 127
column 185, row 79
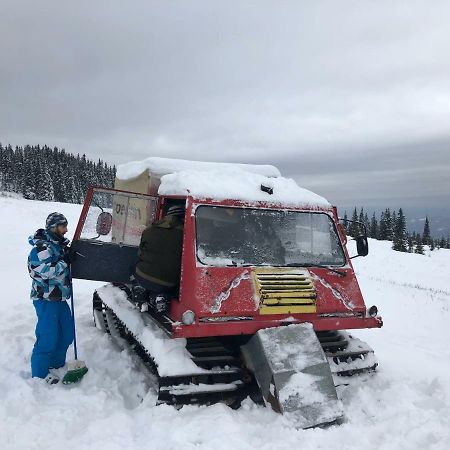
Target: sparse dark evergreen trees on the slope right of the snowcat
column 391, row 226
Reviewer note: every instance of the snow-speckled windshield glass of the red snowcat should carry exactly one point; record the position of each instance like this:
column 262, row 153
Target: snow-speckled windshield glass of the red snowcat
column 244, row 236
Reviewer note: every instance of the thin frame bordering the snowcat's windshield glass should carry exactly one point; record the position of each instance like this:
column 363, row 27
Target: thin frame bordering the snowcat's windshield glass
column 329, row 215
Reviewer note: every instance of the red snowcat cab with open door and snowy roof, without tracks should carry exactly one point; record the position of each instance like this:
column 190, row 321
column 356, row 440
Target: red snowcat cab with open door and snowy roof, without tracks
column 258, row 252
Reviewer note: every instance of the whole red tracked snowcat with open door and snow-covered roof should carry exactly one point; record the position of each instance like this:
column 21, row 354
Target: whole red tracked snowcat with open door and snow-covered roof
column 267, row 290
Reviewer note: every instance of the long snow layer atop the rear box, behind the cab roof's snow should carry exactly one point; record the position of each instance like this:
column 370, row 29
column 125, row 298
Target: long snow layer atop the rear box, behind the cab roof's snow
column 164, row 166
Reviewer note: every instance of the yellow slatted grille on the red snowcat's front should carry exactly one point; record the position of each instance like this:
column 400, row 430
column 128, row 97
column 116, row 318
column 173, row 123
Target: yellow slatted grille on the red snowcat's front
column 285, row 291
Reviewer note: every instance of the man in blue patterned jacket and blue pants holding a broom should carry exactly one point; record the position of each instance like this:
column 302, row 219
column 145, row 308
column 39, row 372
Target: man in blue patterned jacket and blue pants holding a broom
column 48, row 265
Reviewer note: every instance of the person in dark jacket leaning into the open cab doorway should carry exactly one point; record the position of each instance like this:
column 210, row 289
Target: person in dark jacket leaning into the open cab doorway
column 159, row 256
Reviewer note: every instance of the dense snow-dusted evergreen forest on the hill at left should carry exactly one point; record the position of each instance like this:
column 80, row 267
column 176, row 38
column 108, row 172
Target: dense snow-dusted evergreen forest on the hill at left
column 51, row 174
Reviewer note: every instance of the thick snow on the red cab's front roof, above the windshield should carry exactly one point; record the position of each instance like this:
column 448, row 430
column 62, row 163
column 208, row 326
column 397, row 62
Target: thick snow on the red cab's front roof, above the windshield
column 237, row 184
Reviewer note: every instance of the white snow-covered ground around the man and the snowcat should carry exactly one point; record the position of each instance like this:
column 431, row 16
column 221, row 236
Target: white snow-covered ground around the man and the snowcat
column 406, row 405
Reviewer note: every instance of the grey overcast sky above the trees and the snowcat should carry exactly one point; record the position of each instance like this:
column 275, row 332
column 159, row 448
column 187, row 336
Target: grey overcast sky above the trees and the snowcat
column 350, row 98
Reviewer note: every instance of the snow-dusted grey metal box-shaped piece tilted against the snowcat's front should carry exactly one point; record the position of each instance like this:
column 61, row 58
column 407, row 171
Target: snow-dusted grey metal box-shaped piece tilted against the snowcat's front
column 293, row 374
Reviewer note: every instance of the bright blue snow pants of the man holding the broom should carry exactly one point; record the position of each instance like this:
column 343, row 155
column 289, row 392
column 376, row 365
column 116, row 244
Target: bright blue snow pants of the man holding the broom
column 54, row 334
